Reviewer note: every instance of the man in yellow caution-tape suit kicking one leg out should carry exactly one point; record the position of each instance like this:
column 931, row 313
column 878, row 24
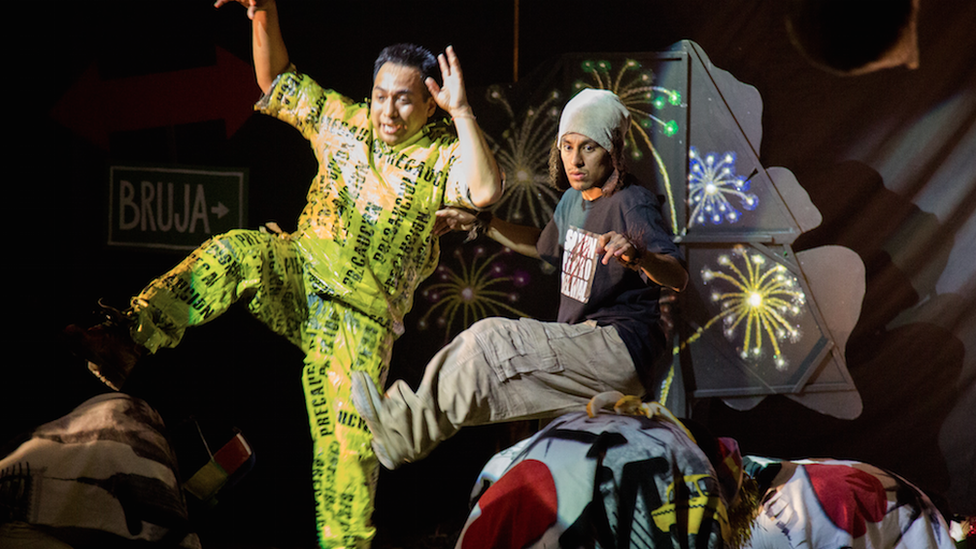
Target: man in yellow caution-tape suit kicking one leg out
column 340, row 285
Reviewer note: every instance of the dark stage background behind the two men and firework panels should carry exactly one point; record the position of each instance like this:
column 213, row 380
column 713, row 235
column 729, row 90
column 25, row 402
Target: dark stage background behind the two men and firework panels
column 887, row 157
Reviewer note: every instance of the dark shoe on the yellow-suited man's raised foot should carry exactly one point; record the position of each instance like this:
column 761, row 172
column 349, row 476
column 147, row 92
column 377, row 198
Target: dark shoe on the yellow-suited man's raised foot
column 107, row 345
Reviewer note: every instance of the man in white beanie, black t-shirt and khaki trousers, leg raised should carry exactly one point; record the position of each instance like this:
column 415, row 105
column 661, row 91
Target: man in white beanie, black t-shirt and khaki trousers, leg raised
column 615, row 253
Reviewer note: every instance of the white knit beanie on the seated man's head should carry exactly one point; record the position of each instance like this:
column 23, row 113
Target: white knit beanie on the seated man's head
column 597, row 114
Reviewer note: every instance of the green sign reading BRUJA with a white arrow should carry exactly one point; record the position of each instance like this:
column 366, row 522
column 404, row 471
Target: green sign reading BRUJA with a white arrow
column 174, row 208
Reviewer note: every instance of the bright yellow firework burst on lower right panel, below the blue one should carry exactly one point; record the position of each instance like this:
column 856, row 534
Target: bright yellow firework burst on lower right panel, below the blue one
column 763, row 295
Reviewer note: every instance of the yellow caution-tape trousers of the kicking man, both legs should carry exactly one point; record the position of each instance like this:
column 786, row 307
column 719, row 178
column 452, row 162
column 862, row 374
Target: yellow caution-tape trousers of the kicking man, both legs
column 336, row 339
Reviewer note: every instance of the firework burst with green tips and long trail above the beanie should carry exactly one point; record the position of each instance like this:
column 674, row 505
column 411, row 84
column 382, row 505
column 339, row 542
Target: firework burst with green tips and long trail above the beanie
column 634, row 85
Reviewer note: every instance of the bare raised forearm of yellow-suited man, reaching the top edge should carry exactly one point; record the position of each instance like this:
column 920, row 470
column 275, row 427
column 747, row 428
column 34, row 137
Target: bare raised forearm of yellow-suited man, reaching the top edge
column 270, row 54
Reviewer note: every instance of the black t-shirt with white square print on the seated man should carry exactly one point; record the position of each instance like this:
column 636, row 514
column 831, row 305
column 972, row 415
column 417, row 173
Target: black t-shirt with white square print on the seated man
column 609, row 294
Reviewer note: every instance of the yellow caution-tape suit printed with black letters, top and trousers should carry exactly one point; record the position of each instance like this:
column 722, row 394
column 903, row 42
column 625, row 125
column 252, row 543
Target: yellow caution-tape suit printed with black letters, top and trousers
column 338, row 287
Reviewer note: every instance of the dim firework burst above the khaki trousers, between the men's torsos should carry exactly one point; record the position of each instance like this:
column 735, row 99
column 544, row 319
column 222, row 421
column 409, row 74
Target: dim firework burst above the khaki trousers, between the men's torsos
column 471, row 292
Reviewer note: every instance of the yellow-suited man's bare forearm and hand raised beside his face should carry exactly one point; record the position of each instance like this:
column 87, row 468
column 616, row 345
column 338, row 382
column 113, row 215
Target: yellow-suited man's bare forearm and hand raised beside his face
column 477, row 165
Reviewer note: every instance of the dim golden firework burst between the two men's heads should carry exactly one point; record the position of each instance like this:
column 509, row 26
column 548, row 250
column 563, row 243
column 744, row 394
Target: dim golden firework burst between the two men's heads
column 523, row 153
